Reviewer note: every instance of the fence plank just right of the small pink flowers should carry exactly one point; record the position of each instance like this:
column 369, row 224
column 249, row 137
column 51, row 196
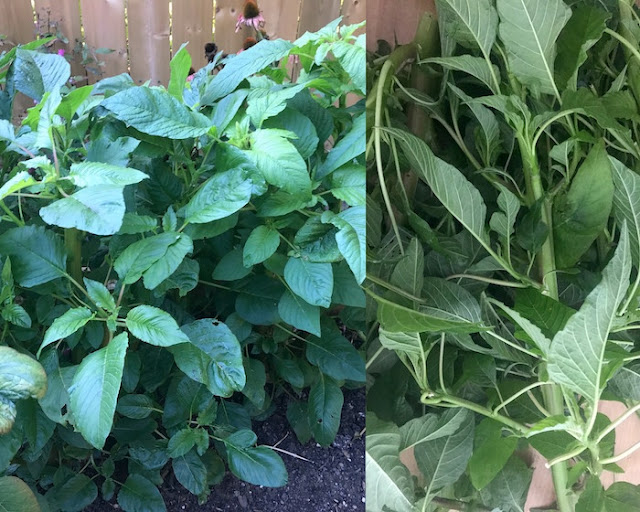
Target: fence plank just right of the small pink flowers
column 104, row 27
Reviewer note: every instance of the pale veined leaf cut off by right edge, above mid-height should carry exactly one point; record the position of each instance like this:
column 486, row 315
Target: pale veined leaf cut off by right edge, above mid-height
column 626, row 203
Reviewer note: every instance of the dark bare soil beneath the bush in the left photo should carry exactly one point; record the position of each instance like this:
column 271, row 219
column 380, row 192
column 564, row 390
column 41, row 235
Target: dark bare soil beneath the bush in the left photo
column 332, row 482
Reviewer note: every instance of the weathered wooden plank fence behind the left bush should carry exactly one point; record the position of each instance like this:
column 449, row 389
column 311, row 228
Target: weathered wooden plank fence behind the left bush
column 143, row 34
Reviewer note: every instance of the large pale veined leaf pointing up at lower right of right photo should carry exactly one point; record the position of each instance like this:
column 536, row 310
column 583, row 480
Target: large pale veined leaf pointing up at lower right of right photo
column 576, row 358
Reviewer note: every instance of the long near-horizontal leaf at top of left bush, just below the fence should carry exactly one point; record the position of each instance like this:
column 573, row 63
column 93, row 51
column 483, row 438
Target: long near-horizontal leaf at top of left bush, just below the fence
column 156, row 112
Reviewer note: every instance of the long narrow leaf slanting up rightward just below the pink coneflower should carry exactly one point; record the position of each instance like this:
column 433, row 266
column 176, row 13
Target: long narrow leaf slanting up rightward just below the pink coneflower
column 244, row 65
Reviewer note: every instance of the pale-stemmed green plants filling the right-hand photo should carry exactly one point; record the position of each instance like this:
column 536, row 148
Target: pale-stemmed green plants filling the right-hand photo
column 504, row 245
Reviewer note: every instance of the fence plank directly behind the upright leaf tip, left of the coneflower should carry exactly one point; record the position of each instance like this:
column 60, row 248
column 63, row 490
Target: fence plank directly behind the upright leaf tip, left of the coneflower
column 192, row 21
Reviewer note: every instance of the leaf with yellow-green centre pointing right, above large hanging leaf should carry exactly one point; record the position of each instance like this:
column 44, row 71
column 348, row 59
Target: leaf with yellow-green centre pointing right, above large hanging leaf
column 155, row 326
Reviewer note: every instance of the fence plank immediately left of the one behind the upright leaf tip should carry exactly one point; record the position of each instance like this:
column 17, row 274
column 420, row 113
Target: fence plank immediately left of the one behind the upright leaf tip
column 149, row 51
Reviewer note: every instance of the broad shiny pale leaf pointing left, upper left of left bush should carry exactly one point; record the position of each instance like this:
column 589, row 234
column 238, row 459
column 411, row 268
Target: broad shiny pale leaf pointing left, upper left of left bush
column 97, row 209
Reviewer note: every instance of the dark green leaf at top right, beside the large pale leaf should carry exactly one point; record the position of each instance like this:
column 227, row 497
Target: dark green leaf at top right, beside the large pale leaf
column 583, row 30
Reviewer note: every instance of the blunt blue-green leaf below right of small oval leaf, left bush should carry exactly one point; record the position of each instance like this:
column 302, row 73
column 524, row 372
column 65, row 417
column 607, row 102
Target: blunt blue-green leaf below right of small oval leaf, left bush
column 311, row 281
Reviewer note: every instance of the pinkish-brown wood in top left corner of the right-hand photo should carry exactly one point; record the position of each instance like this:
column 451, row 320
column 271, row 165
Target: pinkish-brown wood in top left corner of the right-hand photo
column 386, row 21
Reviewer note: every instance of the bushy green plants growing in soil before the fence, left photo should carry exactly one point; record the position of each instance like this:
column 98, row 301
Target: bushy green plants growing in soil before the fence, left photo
column 174, row 264
